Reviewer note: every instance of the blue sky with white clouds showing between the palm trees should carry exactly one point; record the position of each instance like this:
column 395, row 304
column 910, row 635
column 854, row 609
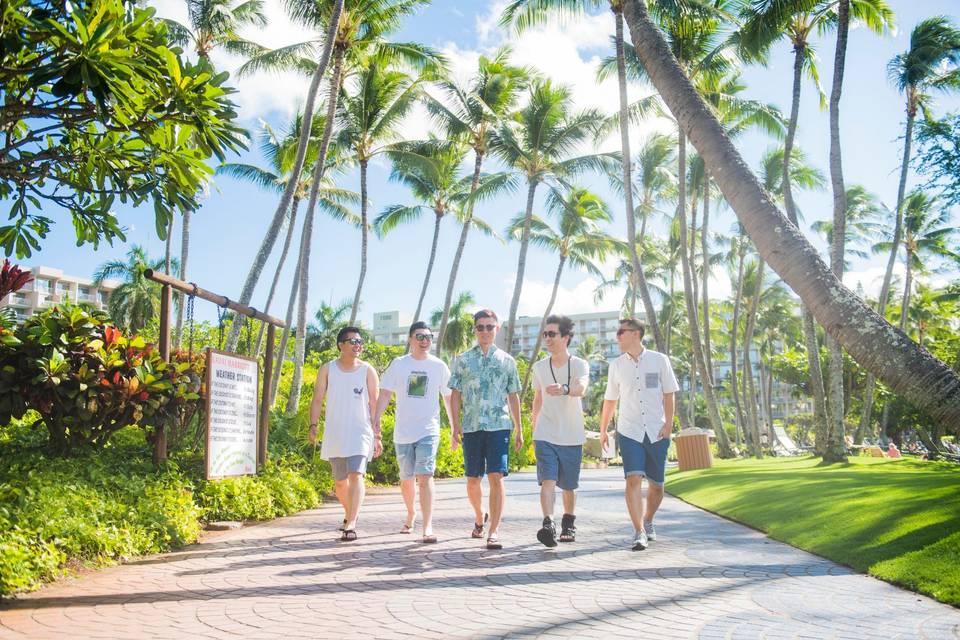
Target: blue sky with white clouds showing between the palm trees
column 226, row 232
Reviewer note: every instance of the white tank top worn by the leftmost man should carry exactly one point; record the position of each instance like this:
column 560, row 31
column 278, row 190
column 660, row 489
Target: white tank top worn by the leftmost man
column 347, row 427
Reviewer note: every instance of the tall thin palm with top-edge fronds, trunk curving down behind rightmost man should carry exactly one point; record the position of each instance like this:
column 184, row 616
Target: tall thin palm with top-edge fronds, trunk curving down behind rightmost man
column 525, row 13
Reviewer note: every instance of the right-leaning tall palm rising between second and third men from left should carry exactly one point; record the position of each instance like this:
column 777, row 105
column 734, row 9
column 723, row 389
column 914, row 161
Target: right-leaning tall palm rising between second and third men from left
column 472, row 112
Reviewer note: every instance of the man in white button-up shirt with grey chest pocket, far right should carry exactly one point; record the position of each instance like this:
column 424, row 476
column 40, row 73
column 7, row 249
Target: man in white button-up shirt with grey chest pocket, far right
column 643, row 382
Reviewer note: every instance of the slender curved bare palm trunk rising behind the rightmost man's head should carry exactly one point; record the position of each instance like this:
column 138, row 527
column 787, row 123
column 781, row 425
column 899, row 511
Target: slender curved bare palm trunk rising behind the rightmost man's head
column 650, row 312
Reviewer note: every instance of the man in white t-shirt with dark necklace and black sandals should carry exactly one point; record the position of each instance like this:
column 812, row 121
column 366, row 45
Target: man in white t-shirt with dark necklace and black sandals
column 560, row 382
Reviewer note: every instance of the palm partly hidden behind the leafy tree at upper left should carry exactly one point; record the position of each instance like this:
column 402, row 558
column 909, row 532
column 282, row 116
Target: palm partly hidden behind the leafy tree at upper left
column 213, row 23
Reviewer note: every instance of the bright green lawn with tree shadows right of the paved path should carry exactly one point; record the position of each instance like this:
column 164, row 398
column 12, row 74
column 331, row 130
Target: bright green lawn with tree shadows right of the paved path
column 898, row 520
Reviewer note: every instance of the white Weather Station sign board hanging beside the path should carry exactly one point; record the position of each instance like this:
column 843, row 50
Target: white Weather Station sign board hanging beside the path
column 231, row 414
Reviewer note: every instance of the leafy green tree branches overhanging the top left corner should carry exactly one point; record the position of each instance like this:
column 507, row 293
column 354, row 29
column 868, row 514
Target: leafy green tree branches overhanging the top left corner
column 99, row 111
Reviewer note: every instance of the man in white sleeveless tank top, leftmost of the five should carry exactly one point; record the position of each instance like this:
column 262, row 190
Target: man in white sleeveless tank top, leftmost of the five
column 350, row 387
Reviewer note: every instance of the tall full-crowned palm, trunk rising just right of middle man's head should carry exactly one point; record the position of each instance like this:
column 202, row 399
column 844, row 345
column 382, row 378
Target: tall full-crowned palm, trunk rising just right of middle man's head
column 537, row 143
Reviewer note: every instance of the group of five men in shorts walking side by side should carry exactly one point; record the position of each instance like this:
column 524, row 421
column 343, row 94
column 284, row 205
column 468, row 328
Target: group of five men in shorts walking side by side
column 482, row 399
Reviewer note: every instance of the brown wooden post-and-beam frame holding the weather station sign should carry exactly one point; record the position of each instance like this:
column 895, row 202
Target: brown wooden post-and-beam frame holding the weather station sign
column 263, row 420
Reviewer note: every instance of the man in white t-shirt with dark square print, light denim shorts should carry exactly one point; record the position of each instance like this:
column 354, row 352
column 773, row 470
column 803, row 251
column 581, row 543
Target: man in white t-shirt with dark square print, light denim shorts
column 418, row 379
